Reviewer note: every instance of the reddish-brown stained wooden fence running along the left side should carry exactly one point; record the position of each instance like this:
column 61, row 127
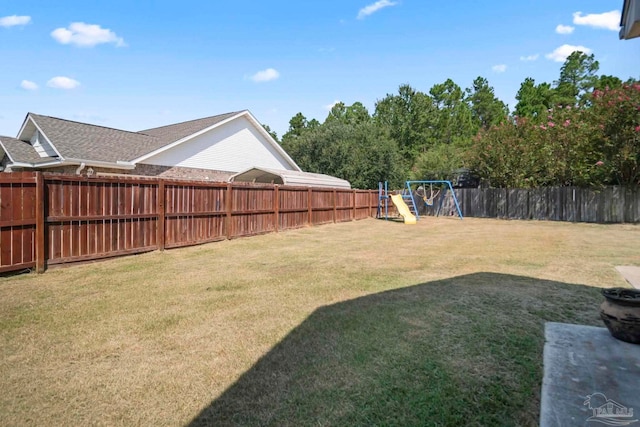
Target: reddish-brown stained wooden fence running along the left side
column 54, row 219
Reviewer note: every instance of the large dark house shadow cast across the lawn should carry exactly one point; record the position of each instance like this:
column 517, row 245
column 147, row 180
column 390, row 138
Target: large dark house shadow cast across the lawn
column 461, row 351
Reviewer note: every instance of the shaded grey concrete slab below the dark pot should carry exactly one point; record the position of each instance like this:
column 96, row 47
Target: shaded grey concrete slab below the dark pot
column 590, row 378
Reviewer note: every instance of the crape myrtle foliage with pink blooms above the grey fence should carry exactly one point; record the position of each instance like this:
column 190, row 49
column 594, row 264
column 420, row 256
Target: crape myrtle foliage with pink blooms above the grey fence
column 586, row 145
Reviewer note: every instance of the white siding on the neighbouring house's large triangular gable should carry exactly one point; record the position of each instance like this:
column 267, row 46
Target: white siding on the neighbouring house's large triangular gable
column 232, row 147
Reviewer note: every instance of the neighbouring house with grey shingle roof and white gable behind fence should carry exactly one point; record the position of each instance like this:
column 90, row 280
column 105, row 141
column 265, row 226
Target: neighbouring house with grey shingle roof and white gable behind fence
column 212, row 148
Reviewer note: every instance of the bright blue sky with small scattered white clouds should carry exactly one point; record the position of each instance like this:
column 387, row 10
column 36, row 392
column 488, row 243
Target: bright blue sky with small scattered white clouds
column 136, row 65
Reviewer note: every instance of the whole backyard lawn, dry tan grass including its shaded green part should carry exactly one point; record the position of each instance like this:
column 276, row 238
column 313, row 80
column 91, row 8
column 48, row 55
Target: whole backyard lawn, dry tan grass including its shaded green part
column 364, row 323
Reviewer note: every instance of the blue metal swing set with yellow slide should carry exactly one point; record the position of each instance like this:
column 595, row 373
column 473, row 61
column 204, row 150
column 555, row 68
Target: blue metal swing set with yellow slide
column 416, row 197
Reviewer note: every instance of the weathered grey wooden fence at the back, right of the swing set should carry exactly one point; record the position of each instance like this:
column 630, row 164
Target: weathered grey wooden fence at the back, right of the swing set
column 606, row 205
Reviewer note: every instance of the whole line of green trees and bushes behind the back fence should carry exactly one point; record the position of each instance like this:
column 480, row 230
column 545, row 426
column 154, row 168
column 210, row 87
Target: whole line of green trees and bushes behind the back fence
column 582, row 130
